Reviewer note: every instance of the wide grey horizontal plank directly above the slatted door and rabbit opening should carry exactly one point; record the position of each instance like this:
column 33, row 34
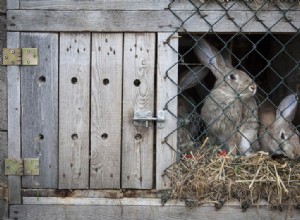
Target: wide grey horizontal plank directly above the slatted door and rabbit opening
column 161, row 21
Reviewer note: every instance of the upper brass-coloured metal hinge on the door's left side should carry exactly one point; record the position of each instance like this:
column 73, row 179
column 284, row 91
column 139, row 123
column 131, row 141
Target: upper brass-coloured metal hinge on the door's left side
column 20, row 56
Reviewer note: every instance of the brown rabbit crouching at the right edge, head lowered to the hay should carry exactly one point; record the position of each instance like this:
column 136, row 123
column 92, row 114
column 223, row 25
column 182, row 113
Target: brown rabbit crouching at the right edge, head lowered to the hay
column 277, row 135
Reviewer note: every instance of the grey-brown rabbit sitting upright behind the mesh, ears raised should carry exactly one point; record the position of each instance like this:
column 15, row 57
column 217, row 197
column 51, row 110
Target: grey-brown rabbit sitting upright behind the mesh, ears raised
column 230, row 110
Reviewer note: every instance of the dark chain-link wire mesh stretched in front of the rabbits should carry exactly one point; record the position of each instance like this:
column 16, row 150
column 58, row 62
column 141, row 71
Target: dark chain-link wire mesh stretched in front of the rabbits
column 238, row 91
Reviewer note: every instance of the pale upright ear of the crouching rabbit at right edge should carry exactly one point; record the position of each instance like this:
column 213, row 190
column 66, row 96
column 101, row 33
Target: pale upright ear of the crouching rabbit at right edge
column 287, row 108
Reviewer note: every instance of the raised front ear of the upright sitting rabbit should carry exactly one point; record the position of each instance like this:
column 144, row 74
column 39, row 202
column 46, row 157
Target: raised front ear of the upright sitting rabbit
column 210, row 57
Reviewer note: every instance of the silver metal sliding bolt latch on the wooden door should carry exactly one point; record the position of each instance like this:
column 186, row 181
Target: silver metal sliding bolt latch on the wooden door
column 142, row 118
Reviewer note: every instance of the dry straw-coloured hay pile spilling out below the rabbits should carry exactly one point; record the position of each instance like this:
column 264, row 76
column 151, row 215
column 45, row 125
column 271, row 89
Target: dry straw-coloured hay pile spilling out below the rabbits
column 205, row 178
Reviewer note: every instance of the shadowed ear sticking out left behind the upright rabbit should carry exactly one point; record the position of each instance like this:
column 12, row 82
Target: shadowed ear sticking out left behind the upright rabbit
column 192, row 77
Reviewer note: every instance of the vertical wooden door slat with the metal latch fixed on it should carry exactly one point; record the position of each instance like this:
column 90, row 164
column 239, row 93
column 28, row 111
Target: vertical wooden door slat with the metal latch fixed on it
column 137, row 142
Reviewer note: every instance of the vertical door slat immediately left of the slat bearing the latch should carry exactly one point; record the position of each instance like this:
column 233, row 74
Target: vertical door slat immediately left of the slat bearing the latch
column 106, row 110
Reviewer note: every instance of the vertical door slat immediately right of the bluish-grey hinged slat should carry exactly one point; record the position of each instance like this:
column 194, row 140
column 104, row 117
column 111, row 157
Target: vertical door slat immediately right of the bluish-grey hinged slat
column 74, row 108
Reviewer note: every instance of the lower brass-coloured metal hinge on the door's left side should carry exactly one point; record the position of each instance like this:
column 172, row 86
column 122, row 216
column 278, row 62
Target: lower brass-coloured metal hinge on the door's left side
column 25, row 167
